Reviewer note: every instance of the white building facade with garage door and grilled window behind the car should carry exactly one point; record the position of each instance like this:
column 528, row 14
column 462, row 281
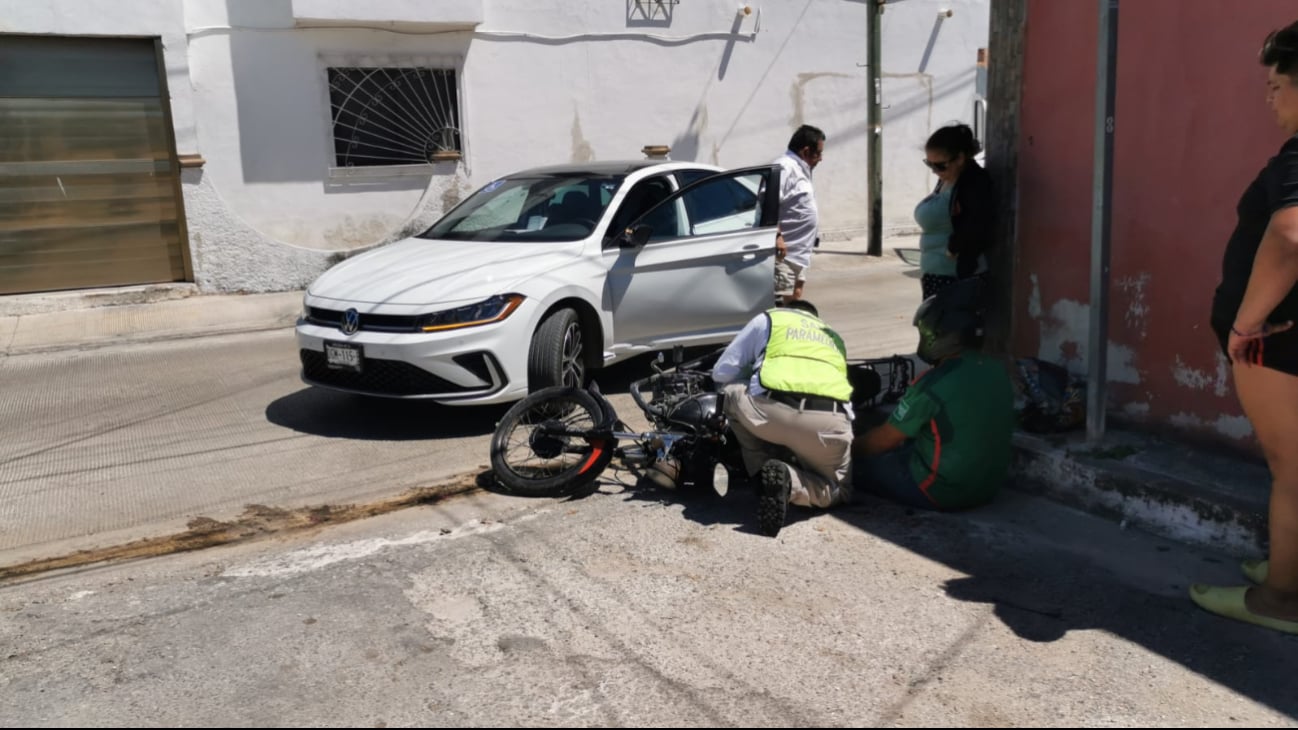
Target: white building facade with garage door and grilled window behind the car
column 245, row 146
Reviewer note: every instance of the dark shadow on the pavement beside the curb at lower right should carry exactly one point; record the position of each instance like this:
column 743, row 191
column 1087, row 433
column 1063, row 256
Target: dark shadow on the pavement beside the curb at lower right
column 1044, row 584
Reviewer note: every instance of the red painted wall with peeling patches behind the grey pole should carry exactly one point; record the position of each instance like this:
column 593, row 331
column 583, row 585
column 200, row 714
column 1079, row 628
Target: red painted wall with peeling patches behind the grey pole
column 1192, row 131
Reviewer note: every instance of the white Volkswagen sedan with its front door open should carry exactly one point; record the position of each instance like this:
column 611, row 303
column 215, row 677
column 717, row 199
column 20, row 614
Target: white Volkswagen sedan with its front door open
column 545, row 276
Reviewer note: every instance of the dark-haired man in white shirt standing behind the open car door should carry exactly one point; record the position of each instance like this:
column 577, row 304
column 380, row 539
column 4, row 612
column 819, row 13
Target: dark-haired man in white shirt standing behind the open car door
column 800, row 221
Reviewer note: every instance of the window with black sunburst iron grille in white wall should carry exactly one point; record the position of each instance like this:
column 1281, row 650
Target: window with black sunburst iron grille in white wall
column 394, row 116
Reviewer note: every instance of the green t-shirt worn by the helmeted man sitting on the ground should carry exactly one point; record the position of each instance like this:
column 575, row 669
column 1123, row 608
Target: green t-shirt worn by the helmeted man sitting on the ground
column 961, row 418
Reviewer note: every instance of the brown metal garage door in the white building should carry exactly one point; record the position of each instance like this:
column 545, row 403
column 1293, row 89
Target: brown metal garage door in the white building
column 89, row 179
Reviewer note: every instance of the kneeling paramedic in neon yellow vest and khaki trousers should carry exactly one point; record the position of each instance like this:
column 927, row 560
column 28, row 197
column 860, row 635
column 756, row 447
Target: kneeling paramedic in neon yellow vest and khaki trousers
column 786, row 384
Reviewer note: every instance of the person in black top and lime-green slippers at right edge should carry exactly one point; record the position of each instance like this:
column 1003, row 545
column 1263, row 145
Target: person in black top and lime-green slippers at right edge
column 1253, row 316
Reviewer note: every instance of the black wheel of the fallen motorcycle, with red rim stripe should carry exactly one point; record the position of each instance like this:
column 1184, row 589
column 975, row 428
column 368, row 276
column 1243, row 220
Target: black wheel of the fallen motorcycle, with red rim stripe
column 529, row 459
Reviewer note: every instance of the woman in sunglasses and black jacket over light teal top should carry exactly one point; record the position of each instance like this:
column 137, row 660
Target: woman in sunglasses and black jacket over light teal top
column 959, row 220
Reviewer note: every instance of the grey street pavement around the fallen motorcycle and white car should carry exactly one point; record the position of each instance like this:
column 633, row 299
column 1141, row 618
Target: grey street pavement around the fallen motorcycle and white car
column 626, row 607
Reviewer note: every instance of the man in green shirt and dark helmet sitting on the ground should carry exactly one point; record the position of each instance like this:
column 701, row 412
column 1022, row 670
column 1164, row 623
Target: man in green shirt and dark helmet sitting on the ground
column 947, row 446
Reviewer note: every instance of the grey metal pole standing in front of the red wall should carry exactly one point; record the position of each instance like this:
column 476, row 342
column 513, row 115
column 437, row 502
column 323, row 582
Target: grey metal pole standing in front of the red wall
column 1103, row 188
